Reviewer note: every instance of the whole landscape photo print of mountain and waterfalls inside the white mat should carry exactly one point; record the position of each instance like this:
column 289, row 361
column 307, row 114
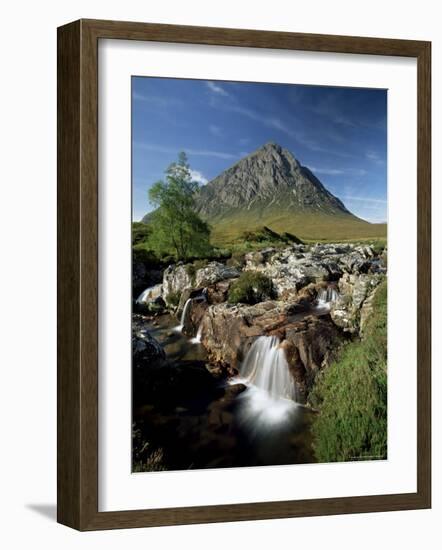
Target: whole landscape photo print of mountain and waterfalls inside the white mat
column 259, row 274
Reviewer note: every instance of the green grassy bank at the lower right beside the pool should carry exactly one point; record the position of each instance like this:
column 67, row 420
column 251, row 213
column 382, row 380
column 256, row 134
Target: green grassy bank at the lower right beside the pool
column 352, row 395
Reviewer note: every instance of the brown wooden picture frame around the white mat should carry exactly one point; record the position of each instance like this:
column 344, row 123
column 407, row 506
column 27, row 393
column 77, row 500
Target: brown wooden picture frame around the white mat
column 78, row 274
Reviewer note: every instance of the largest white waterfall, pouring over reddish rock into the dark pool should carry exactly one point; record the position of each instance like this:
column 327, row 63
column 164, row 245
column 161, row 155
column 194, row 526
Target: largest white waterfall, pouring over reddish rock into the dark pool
column 266, row 367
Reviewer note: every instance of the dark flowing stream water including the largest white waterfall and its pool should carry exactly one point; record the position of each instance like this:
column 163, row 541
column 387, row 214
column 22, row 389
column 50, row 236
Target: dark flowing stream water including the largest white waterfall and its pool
column 254, row 419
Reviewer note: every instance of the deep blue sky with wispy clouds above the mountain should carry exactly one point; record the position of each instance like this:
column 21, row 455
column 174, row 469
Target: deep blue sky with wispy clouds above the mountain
column 339, row 133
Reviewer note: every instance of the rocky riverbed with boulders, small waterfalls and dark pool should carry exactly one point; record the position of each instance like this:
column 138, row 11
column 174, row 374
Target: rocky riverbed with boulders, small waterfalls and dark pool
column 193, row 408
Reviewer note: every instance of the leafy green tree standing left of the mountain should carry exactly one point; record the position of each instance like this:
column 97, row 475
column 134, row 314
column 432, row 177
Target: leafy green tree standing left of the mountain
column 176, row 227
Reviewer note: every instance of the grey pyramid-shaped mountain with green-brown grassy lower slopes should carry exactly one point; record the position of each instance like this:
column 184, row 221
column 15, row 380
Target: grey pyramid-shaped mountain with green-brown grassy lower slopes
column 271, row 188
